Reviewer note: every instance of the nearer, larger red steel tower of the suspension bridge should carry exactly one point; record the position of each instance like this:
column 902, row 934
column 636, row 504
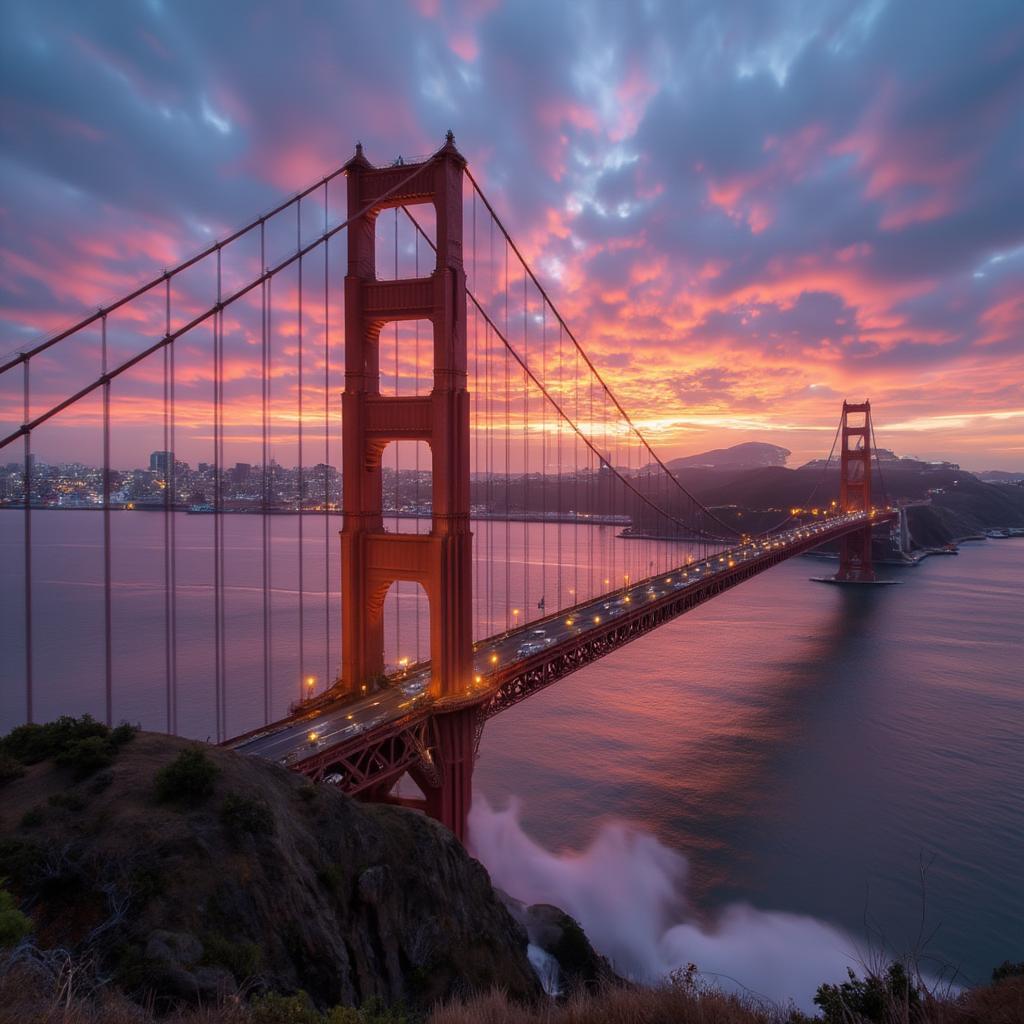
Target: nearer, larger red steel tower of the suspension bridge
column 373, row 560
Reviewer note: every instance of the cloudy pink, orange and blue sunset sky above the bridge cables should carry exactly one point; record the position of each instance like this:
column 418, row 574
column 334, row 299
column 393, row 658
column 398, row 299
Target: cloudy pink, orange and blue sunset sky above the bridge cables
column 747, row 211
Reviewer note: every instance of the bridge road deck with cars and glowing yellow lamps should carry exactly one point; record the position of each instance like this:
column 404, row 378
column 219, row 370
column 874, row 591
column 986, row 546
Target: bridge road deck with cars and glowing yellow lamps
column 364, row 736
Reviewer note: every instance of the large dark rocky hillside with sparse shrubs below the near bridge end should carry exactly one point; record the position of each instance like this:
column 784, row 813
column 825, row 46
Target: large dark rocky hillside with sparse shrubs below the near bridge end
column 267, row 881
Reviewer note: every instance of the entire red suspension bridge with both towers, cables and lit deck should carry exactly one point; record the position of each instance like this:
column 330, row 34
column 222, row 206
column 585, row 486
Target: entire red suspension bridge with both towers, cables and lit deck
column 459, row 367
